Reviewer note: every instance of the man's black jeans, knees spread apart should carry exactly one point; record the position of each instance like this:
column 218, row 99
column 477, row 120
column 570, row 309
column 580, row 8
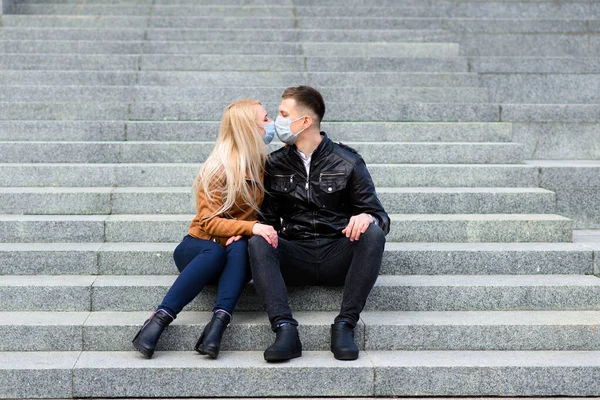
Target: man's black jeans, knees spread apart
column 316, row 262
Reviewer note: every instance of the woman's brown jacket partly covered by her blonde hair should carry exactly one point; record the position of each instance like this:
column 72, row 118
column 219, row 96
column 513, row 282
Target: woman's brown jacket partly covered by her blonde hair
column 238, row 221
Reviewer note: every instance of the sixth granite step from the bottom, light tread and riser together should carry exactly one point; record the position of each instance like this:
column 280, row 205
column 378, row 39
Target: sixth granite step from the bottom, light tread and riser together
column 178, row 200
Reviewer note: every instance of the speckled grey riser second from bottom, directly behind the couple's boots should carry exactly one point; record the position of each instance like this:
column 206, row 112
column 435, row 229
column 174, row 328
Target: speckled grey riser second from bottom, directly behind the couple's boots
column 257, row 337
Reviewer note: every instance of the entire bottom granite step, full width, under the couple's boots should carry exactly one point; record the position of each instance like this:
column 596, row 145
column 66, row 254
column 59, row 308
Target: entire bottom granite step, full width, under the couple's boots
column 375, row 373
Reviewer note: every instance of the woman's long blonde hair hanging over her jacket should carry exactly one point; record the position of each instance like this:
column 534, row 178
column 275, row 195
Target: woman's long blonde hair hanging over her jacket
column 239, row 154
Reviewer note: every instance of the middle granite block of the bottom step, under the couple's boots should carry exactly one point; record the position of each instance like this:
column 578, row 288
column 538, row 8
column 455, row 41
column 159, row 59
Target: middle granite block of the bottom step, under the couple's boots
column 130, row 375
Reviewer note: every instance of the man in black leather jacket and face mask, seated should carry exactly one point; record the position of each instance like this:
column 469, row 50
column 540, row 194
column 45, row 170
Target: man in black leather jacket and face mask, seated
column 331, row 226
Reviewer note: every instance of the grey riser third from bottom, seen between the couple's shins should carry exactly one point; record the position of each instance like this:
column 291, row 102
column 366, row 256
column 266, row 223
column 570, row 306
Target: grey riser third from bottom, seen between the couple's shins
column 382, row 298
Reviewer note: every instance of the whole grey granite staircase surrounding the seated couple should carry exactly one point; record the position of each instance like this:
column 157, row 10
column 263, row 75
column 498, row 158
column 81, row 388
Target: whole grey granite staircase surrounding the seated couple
column 466, row 112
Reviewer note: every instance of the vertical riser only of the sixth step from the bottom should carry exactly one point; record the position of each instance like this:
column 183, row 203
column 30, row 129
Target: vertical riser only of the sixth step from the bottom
column 181, row 203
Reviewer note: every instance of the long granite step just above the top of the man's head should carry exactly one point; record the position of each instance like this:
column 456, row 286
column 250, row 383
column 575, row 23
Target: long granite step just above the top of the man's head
column 238, row 78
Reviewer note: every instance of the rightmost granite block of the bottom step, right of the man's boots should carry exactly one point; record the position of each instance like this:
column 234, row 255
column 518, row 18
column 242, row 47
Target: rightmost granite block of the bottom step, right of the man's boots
column 486, row 373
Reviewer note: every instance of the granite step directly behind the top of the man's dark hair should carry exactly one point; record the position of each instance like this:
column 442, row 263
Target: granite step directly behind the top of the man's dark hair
column 23, row 93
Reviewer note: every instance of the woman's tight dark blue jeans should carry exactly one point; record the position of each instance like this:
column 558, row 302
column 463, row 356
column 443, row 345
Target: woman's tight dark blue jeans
column 201, row 262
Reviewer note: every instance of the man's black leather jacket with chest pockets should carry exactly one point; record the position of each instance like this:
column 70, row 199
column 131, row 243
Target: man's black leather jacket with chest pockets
column 339, row 186
